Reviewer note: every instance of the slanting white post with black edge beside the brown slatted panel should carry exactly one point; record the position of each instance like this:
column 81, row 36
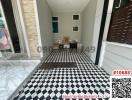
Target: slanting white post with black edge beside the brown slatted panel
column 101, row 48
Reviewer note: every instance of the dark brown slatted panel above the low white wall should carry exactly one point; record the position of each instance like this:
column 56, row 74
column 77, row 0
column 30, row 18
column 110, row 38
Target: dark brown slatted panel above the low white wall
column 121, row 24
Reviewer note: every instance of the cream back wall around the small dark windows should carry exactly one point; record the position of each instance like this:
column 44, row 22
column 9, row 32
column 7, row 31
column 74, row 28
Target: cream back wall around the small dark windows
column 66, row 24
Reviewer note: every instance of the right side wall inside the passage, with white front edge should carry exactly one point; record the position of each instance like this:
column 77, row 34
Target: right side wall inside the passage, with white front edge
column 91, row 21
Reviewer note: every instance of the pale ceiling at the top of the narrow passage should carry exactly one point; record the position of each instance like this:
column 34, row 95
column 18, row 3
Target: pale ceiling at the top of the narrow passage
column 67, row 5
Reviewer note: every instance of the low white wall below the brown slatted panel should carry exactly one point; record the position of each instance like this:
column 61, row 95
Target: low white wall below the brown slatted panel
column 117, row 57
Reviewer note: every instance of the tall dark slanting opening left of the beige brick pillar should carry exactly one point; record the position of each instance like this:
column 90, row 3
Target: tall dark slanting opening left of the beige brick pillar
column 9, row 16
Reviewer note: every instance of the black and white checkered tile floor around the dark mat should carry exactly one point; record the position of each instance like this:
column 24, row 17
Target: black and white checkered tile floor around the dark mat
column 57, row 83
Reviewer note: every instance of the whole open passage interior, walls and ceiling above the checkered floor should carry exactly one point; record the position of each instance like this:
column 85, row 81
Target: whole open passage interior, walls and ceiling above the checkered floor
column 76, row 23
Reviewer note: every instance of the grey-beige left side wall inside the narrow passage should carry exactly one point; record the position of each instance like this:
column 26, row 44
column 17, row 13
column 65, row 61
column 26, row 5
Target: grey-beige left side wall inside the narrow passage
column 45, row 16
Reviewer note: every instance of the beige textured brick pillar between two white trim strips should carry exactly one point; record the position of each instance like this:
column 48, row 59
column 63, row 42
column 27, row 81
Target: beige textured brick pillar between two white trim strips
column 31, row 27
